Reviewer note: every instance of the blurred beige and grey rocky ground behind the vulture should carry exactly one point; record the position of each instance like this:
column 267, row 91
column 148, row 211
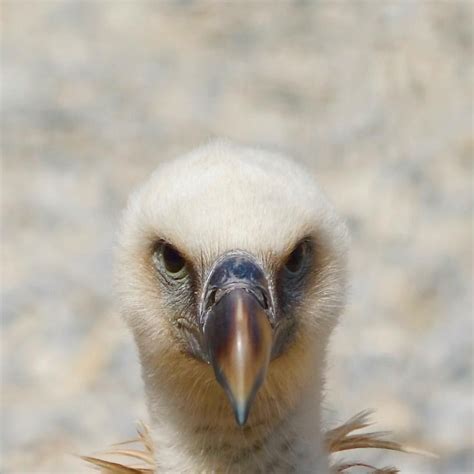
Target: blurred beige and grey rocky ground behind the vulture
column 376, row 97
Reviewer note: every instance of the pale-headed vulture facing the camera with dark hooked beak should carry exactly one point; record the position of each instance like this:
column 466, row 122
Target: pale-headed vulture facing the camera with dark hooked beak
column 231, row 271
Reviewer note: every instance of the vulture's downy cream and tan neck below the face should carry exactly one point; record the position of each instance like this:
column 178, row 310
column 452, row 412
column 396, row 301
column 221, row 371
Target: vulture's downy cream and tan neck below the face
column 198, row 433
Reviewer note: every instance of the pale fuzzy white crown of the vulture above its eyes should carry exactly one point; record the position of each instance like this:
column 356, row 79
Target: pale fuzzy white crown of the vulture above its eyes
column 222, row 197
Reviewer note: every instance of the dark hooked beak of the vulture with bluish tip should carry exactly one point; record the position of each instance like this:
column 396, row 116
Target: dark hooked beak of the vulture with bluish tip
column 237, row 329
